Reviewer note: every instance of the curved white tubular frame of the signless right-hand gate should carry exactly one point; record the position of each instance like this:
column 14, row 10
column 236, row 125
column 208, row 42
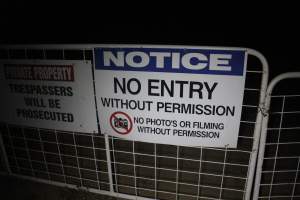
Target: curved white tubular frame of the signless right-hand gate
column 264, row 127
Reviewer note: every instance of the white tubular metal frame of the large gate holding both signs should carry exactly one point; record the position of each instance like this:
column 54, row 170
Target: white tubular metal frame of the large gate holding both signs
column 256, row 132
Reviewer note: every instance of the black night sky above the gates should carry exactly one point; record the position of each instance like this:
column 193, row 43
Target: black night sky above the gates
column 271, row 29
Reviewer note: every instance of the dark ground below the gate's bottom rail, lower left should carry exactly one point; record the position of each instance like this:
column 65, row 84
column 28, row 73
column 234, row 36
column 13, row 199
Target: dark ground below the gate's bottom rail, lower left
column 18, row 189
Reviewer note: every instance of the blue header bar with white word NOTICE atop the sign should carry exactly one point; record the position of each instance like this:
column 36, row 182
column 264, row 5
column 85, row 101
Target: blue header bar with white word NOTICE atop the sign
column 172, row 60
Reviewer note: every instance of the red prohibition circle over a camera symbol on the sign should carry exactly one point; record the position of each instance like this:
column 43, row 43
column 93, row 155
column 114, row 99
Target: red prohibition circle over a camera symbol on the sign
column 121, row 123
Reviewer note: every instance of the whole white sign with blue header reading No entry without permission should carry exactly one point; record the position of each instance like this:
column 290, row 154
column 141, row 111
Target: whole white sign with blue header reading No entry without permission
column 190, row 96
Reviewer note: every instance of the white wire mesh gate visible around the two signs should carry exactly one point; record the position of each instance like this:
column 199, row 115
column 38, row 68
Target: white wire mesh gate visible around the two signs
column 136, row 170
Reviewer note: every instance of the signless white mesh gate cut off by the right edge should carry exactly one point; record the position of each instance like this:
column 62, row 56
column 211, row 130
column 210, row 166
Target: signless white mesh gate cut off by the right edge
column 277, row 175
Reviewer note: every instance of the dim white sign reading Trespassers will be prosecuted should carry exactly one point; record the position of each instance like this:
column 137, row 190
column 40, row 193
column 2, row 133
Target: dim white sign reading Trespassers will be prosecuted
column 52, row 94
